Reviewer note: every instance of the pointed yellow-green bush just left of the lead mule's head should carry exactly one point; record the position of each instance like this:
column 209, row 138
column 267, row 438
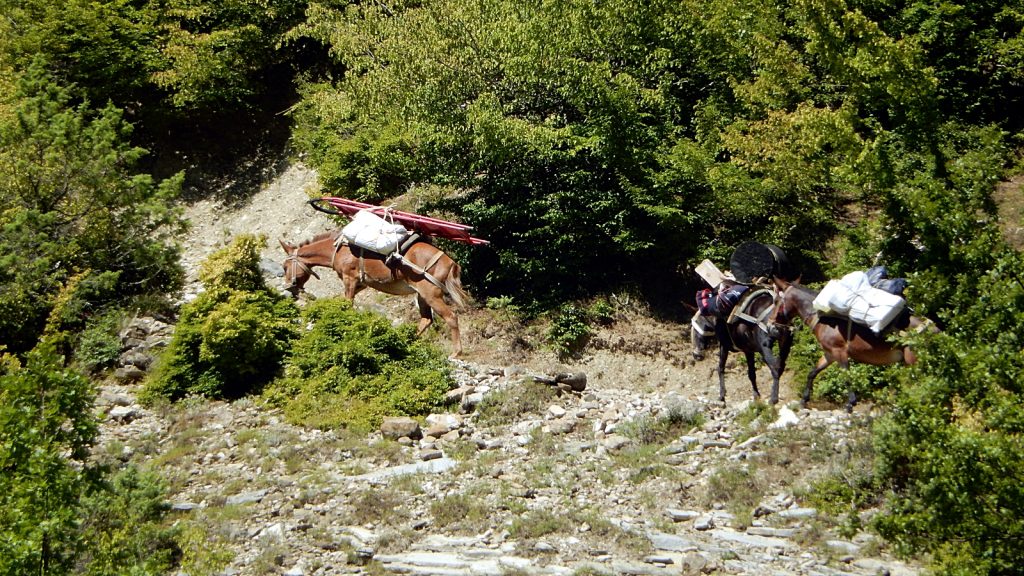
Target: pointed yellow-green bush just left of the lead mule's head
column 233, row 339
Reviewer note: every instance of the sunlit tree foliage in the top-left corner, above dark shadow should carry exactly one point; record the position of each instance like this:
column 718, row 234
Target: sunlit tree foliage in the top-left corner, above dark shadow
column 194, row 53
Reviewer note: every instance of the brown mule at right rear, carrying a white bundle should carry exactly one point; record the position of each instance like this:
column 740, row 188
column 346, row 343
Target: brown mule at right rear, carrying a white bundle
column 841, row 340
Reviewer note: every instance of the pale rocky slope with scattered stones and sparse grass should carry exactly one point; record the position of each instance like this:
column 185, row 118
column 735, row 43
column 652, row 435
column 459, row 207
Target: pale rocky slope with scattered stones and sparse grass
column 525, row 478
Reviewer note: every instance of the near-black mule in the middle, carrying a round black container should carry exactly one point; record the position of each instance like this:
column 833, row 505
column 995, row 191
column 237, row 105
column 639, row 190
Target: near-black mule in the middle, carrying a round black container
column 750, row 331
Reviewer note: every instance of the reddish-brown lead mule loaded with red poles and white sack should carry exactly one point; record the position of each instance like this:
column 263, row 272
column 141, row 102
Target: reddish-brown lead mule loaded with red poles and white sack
column 424, row 270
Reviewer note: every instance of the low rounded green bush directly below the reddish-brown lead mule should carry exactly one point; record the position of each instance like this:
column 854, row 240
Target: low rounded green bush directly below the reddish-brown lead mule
column 351, row 369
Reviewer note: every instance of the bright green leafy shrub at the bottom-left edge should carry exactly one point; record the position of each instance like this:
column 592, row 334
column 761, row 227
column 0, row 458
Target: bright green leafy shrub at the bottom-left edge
column 47, row 430
